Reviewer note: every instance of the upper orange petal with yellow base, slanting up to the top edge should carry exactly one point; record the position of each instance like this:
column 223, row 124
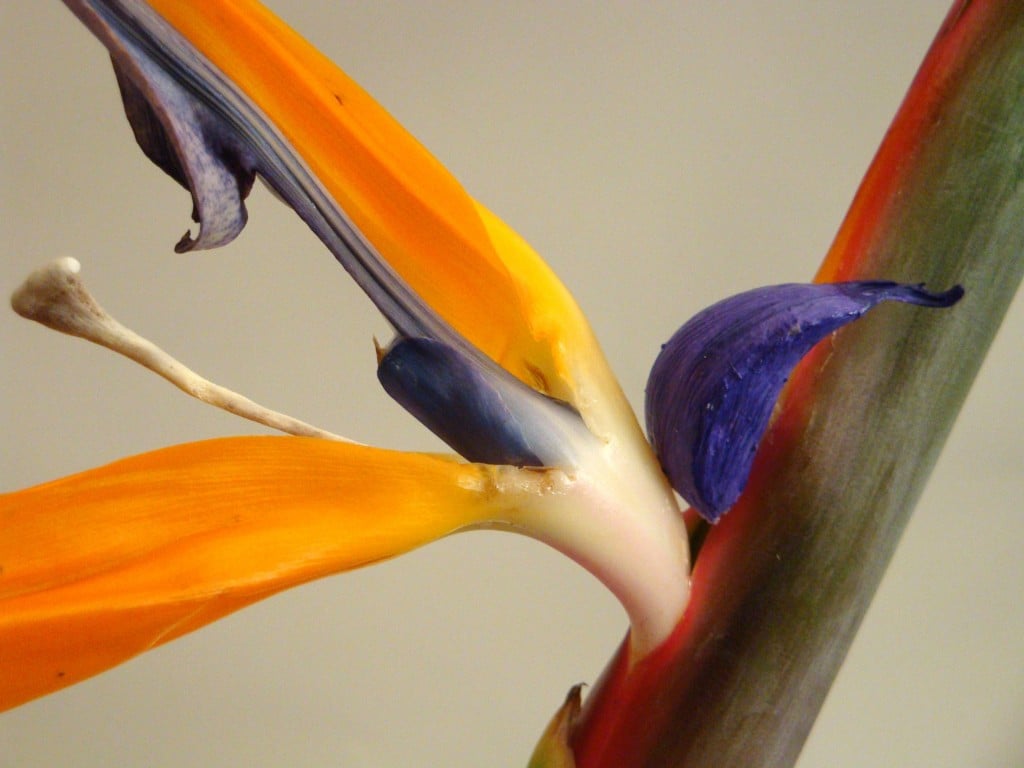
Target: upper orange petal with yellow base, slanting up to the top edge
column 425, row 226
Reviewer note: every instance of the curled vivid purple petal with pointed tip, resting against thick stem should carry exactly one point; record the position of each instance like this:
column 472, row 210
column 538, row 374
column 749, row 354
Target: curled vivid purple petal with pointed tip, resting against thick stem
column 712, row 390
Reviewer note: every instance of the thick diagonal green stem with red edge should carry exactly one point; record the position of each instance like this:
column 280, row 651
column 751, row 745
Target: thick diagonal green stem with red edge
column 783, row 583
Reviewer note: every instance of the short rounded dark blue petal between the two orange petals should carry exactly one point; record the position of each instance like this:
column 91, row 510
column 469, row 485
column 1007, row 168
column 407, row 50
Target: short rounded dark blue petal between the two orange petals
column 483, row 412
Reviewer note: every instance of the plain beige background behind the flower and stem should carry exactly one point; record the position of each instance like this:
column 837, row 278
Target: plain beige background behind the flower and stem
column 660, row 160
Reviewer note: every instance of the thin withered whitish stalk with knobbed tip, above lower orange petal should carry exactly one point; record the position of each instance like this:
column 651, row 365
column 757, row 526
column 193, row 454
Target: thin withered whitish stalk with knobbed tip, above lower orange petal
column 56, row 296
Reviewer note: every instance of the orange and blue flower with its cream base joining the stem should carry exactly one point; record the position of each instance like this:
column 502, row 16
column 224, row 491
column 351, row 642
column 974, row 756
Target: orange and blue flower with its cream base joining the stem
column 492, row 354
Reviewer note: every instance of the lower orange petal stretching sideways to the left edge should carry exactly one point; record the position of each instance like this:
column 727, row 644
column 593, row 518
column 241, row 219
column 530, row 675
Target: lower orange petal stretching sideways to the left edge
column 103, row 566
